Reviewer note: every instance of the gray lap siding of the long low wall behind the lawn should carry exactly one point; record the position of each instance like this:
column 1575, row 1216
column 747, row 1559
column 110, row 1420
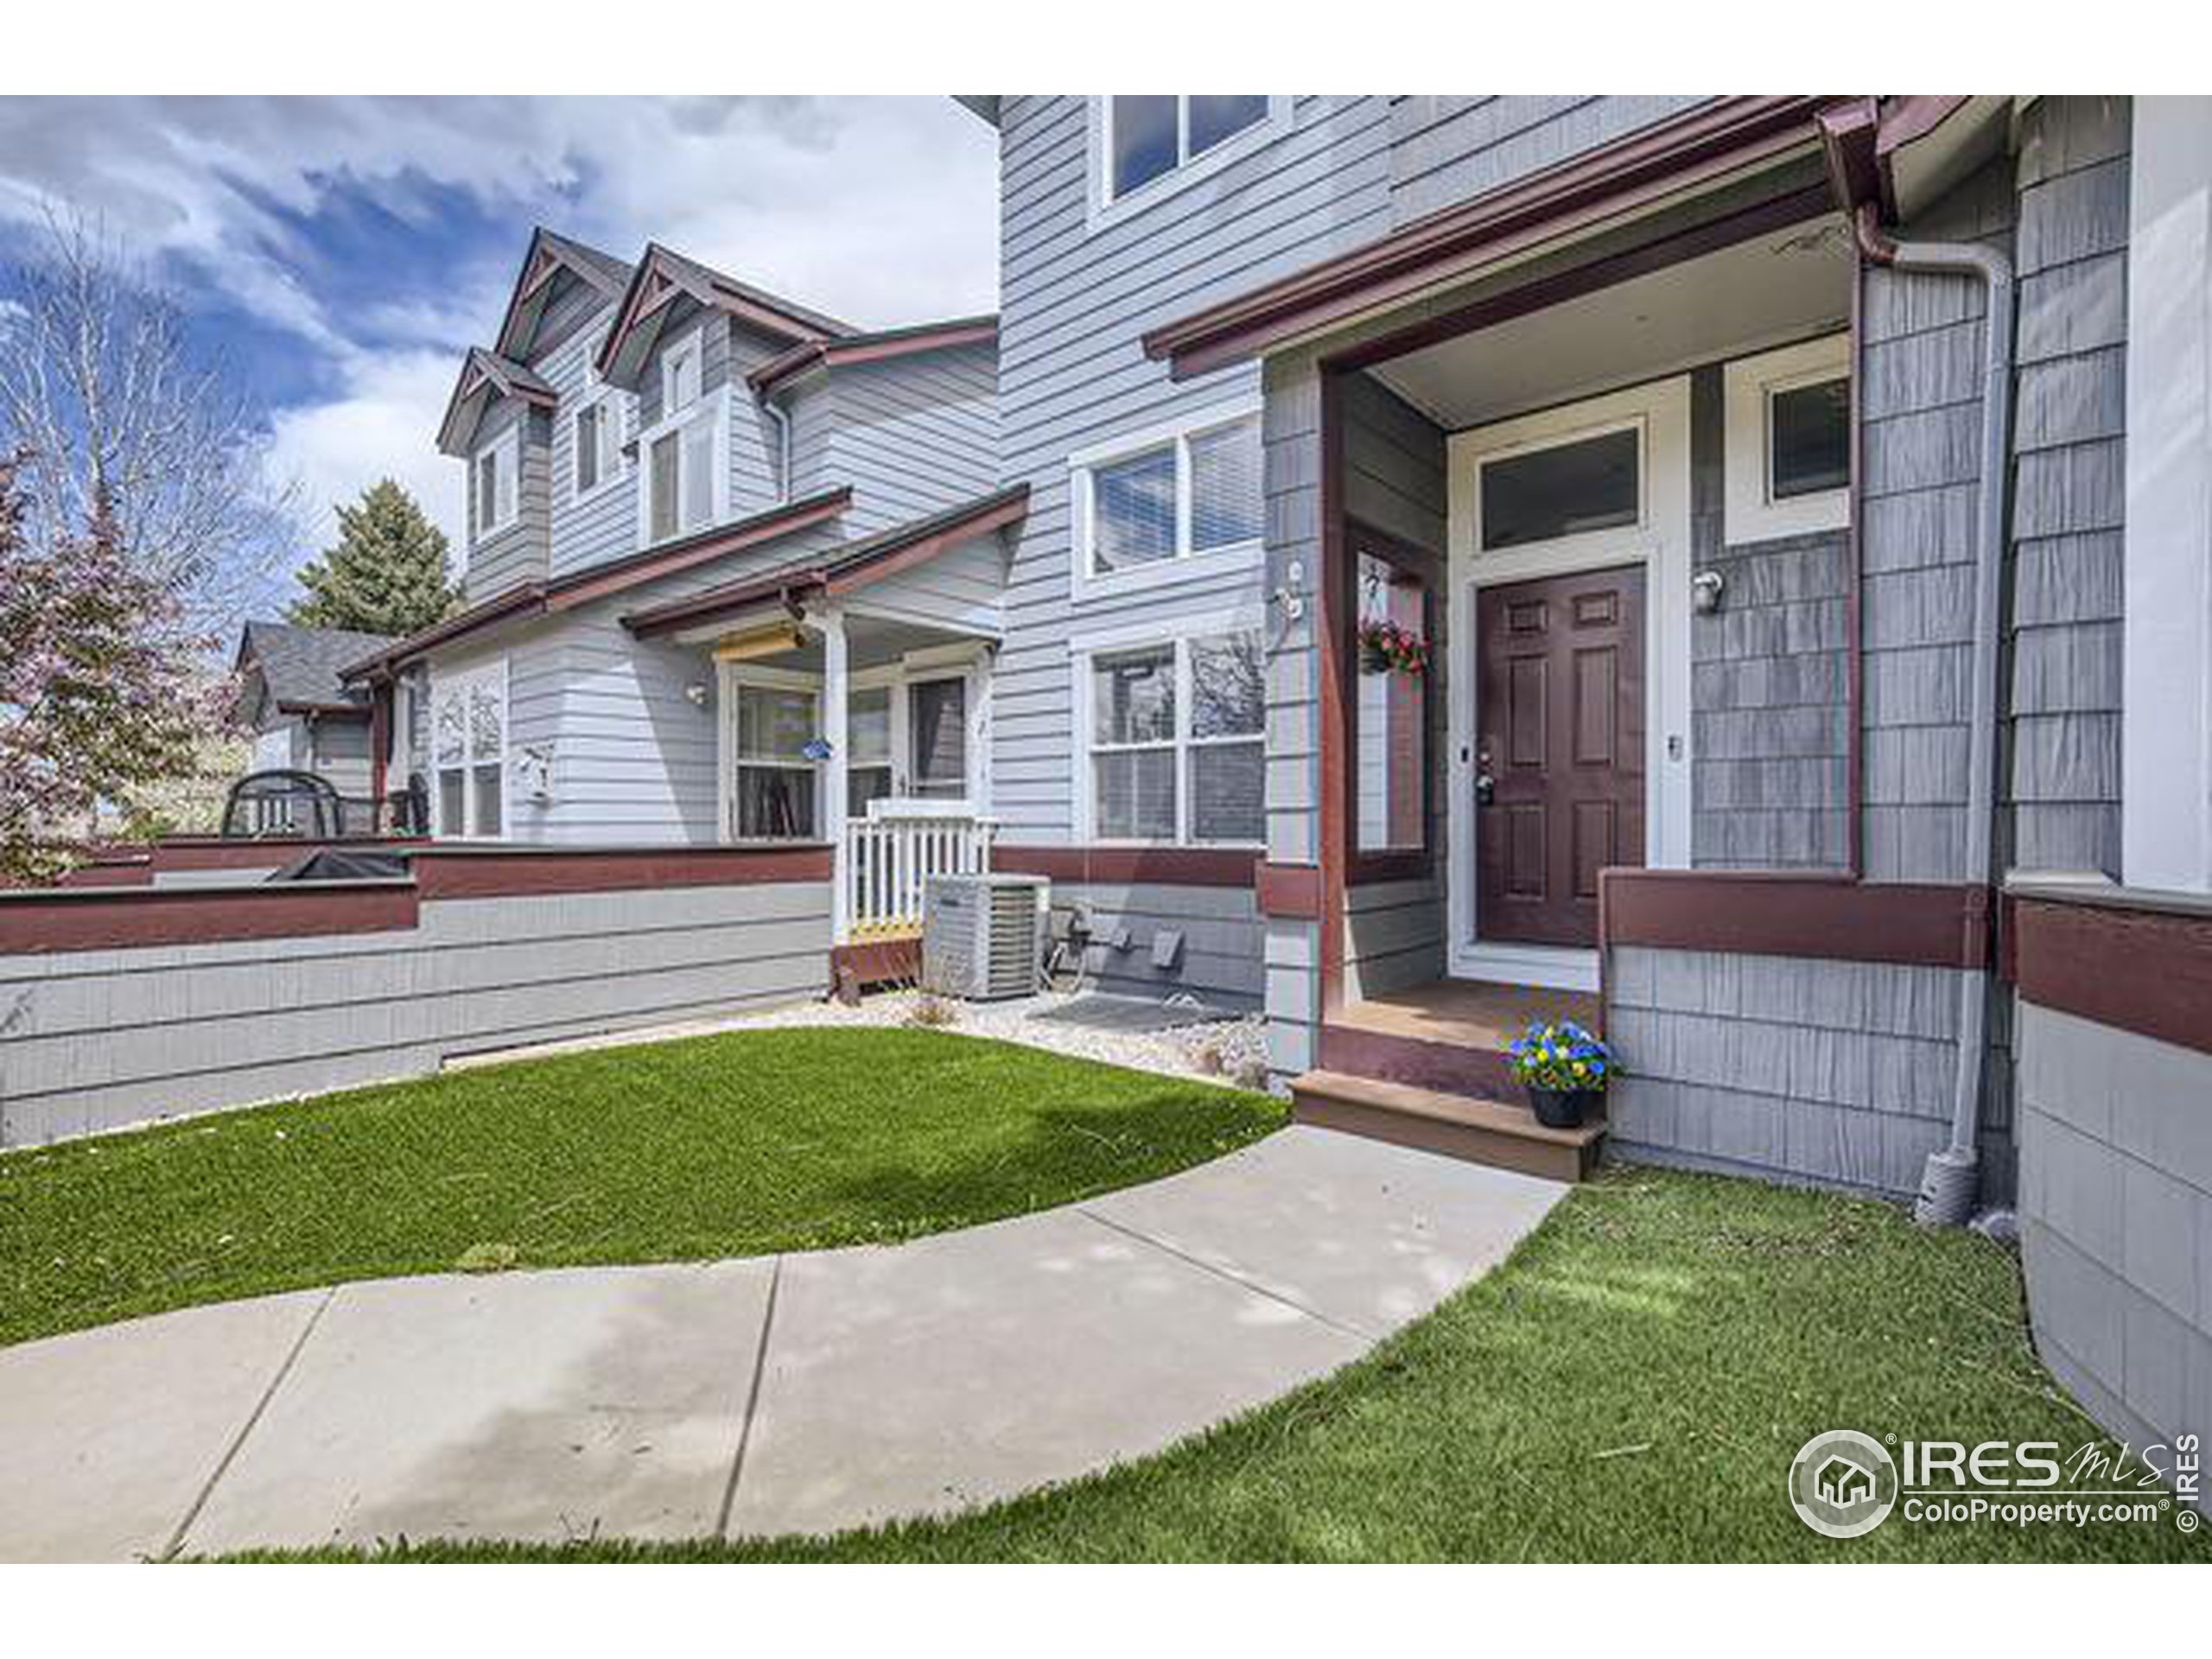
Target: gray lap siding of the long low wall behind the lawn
column 107, row 1039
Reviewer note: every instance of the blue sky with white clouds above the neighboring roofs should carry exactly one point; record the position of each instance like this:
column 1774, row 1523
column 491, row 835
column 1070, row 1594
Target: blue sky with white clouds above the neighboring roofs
column 342, row 253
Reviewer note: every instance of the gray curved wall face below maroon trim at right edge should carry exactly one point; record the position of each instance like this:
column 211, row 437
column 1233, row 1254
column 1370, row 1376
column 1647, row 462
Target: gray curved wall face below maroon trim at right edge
column 2116, row 1220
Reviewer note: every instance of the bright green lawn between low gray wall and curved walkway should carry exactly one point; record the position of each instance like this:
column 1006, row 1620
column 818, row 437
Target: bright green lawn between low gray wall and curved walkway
column 711, row 1147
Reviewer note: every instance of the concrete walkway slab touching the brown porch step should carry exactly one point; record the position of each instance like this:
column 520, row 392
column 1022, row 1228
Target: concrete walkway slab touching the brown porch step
column 1355, row 1231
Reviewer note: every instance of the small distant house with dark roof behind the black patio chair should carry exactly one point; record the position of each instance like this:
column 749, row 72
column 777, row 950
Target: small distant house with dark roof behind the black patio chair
column 302, row 713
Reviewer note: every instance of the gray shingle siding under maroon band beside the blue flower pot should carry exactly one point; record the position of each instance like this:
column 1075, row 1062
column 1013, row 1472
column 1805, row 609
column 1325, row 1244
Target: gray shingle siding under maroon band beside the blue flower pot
column 1835, row 1074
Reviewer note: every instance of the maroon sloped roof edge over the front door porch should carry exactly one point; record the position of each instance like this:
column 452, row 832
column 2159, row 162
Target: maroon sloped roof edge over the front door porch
column 1680, row 156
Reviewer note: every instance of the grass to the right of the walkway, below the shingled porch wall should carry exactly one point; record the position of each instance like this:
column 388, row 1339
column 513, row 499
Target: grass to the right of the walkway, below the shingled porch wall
column 1629, row 1388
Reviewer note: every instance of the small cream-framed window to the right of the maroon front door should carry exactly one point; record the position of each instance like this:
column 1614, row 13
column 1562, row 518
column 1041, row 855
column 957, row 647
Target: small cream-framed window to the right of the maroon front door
column 1791, row 441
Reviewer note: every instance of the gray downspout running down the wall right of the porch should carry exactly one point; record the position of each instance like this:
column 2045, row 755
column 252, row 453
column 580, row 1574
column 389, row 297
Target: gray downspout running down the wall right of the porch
column 1952, row 1173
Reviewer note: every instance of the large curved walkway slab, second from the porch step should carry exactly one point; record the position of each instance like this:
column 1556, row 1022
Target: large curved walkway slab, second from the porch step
column 974, row 1366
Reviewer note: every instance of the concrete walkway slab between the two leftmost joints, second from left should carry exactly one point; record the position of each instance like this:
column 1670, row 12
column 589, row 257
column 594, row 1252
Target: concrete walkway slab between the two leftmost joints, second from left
column 534, row 1406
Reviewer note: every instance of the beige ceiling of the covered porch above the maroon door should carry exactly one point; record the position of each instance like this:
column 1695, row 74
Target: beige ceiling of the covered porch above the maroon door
column 1773, row 289
